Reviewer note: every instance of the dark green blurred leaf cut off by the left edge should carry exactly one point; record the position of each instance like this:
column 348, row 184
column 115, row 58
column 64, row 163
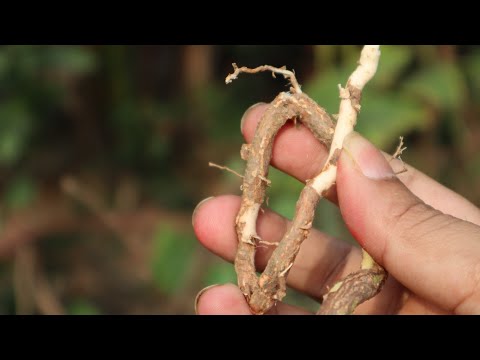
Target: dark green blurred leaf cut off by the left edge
column 15, row 128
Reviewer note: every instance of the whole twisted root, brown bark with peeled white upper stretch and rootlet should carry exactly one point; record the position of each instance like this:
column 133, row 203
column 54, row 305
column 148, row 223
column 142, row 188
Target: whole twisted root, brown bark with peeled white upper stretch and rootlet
column 263, row 292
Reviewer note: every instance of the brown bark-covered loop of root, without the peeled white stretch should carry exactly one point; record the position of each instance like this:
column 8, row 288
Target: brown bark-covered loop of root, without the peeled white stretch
column 261, row 296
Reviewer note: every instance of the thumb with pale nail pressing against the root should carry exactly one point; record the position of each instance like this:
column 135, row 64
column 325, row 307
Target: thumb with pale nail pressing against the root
column 436, row 256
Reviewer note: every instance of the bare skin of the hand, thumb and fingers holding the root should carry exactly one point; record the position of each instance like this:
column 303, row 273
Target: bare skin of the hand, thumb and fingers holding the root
column 425, row 235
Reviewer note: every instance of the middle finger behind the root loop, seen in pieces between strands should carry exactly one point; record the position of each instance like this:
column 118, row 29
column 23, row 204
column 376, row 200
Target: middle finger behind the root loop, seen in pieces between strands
column 320, row 262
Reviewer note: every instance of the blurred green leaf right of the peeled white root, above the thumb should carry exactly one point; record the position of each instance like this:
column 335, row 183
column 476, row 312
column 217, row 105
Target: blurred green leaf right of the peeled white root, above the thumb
column 385, row 117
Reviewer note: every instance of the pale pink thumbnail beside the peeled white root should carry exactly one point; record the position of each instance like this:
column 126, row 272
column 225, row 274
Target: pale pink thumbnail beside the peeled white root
column 367, row 157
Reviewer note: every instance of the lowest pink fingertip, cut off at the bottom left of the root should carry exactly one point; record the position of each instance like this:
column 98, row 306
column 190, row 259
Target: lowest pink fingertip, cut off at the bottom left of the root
column 222, row 300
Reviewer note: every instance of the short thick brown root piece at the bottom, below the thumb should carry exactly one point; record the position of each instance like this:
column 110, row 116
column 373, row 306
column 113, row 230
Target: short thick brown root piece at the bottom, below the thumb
column 355, row 289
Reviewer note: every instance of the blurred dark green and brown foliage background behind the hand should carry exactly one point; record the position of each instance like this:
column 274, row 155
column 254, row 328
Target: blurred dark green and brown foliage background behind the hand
column 104, row 154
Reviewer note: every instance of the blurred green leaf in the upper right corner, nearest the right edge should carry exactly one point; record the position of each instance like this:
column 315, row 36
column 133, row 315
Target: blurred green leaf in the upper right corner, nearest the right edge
column 441, row 85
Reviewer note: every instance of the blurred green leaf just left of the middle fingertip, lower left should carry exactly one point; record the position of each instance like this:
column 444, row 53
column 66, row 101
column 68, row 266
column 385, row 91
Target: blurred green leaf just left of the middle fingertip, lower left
column 173, row 252
